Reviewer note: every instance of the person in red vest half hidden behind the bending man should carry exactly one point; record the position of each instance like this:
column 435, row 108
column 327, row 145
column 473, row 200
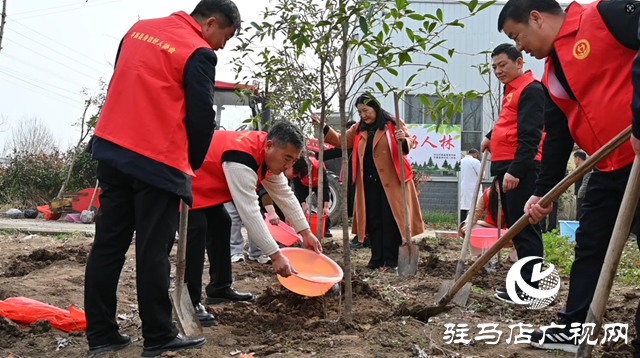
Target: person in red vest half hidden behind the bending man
column 303, row 178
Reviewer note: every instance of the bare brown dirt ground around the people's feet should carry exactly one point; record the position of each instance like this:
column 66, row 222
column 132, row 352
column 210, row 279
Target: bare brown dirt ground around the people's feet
column 280, row 323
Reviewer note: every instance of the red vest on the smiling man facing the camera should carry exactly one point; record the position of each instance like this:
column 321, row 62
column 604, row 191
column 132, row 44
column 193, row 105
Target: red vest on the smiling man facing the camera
column 504, row 139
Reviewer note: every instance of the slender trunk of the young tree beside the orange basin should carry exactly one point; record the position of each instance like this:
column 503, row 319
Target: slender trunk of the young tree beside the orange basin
column 346, row 250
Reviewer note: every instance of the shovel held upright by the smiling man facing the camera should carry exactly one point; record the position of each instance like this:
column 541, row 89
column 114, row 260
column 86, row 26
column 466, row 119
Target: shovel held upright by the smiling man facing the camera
column 463, row 295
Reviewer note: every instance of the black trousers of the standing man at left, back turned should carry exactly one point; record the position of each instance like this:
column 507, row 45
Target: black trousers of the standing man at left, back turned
column 128, row 205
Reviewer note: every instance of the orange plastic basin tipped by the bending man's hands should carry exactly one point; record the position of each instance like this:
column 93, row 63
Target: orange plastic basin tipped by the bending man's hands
column 317, row 273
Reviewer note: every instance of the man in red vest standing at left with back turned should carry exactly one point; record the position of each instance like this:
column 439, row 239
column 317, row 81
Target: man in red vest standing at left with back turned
column 153, row 133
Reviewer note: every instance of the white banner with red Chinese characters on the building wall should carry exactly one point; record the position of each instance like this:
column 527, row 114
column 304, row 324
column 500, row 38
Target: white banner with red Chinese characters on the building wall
column 435, row 148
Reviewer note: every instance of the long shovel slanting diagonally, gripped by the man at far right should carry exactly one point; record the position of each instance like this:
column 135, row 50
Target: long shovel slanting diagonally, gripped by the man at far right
column 605, row 151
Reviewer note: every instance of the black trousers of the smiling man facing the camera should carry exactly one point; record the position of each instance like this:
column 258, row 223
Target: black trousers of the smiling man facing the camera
column 529, row 241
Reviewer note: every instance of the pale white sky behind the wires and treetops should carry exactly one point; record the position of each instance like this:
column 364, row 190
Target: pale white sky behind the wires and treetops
column 54, row 48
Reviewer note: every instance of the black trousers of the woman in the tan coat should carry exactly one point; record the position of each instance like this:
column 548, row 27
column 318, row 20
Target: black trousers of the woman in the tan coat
column 382, row 228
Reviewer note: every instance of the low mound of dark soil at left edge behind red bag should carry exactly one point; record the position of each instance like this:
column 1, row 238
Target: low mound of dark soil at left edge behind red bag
column 38, row 259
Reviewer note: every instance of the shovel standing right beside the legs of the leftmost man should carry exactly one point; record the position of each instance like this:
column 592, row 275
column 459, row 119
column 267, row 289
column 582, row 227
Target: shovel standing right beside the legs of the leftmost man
column 183, row 308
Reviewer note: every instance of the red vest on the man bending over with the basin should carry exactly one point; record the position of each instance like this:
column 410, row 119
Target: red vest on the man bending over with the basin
column 210, row 184
